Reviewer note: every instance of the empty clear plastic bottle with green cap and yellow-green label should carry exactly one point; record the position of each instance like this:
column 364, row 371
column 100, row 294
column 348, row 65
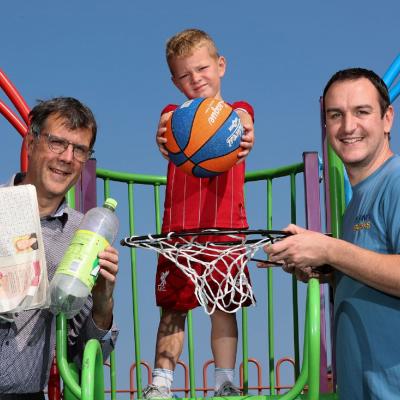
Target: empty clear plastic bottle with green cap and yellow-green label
column 77, row 272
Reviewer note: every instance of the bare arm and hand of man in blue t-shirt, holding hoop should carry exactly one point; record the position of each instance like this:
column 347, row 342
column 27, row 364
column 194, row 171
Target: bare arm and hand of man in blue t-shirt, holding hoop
column 312, row 249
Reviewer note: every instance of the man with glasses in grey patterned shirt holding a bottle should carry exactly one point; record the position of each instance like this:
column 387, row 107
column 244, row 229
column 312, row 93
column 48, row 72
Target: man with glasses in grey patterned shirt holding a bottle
column 60, row 140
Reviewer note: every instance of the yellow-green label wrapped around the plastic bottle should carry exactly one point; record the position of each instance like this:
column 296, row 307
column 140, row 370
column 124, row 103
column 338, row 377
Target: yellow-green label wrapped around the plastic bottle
column 80, row 260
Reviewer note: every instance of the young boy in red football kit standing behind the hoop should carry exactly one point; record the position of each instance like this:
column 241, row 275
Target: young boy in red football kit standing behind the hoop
column 197, row 69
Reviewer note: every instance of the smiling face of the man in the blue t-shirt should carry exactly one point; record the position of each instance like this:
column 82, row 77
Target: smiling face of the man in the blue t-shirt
column 356, row 129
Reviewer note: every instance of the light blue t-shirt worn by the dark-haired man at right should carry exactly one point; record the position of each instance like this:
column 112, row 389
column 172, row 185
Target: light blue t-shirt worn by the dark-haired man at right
column 367, row 321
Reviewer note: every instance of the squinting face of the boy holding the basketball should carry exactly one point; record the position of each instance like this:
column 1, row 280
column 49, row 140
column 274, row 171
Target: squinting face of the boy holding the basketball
column 198, row 74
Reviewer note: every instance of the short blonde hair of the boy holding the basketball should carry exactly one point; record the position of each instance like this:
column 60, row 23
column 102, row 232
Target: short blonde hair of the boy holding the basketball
column 183, row 43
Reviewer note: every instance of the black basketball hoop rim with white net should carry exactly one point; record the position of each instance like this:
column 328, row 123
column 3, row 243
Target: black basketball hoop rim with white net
column 226, row 289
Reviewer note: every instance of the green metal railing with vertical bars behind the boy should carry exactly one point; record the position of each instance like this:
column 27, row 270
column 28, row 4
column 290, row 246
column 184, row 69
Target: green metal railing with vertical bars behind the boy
column 309, row 372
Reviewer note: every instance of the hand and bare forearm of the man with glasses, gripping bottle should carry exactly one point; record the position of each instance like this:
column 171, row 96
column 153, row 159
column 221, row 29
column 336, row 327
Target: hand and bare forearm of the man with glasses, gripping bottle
column 103, row 289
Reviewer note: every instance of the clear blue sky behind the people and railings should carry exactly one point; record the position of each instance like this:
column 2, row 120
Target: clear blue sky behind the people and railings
column 110, row 55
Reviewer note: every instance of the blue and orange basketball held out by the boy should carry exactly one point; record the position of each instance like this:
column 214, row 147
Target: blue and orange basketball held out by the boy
column 203, row 137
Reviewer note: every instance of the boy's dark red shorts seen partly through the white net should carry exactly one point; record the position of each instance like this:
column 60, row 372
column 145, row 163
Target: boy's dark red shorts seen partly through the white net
column 176, row 291
